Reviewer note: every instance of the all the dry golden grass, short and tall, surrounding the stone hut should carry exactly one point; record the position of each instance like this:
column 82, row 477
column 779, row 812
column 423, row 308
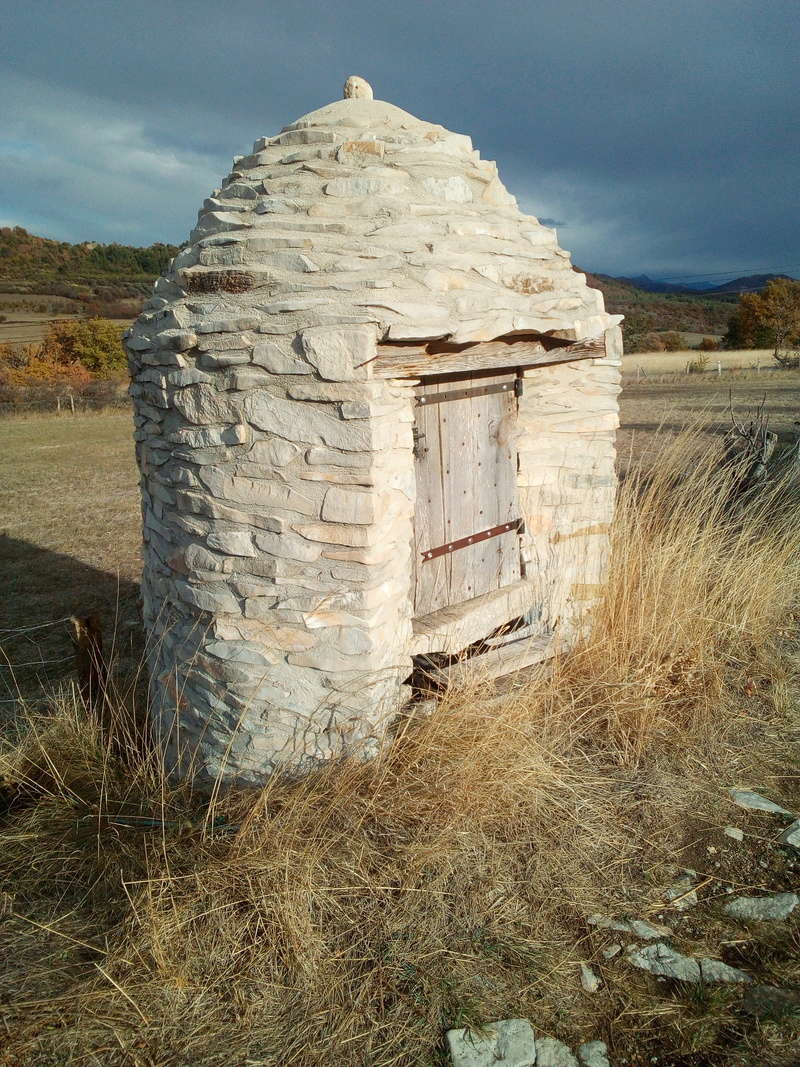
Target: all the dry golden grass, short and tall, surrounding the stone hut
column 351, row 918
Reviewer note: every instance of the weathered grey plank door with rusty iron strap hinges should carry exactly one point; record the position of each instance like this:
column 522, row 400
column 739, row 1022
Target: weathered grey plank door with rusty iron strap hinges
column 467, row 465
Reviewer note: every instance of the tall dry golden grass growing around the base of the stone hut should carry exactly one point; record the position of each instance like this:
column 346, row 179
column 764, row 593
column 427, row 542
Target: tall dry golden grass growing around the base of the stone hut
column 355, row 916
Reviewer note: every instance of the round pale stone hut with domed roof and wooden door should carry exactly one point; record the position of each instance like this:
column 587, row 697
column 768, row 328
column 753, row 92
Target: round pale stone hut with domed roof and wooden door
column 375, row 418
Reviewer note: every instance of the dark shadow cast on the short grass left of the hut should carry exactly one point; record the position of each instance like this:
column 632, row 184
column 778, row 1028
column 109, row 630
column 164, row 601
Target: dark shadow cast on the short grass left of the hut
column 41, row 590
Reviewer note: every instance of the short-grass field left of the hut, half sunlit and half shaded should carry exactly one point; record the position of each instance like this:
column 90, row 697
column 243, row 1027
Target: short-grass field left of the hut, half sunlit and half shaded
column 70, row 540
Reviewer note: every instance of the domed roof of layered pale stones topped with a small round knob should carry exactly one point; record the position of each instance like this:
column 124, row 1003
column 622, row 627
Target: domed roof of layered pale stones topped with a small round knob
column 359, row 213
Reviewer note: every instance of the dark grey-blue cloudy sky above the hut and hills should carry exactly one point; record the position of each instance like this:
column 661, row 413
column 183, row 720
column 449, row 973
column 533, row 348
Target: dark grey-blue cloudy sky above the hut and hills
column 661, row 136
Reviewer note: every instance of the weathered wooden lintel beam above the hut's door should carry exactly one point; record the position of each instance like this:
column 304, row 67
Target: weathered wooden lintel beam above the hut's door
column 413, row 361
